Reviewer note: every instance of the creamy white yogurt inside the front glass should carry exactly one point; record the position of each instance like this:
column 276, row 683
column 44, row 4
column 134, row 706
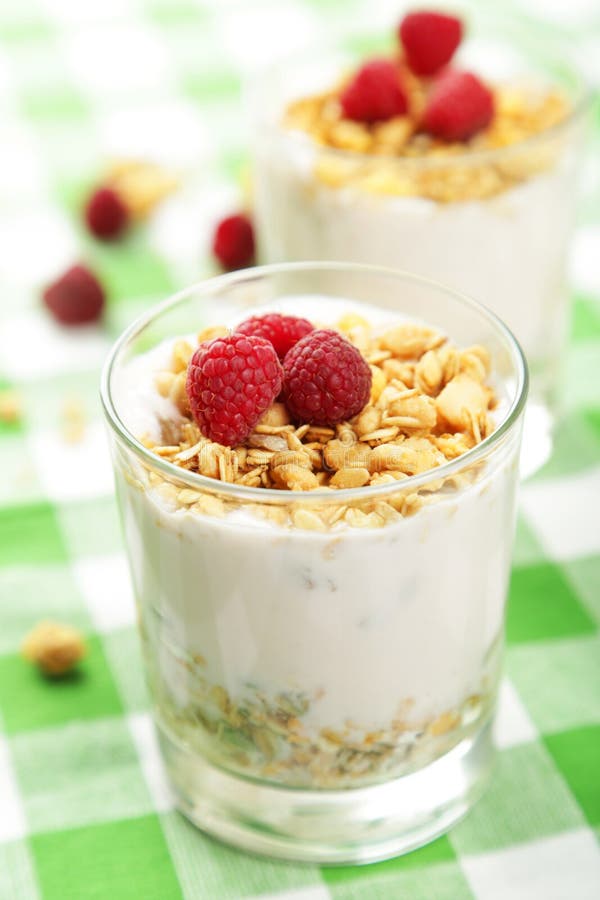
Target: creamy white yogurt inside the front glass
column 369, row 625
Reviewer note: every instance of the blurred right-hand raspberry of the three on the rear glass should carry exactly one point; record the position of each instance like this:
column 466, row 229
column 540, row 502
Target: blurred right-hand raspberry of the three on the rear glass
column 459, row 106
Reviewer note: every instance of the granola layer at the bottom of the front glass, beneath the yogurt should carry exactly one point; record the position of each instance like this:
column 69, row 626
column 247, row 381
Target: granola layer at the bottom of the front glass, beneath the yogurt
column 275, row 734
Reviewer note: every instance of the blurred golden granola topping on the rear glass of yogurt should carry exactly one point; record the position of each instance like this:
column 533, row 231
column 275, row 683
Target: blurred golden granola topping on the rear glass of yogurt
column 393, row 144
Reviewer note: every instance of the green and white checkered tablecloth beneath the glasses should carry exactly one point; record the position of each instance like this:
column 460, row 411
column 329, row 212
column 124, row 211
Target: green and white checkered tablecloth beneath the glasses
column 84, row 809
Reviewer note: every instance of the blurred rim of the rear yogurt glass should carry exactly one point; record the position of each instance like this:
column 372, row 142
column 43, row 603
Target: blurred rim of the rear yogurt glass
column 581, row 105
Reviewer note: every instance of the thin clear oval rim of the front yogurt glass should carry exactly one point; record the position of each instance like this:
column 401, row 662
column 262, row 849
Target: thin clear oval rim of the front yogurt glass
column 318, row 496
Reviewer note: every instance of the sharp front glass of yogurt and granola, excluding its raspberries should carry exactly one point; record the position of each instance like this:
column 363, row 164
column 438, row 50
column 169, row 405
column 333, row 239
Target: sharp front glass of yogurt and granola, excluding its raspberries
column 321, row 609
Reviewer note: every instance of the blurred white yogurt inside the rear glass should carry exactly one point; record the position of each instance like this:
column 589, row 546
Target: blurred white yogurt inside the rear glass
column 508, row 251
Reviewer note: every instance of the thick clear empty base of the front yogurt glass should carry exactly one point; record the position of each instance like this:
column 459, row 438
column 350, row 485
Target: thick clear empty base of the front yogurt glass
column 347, row 826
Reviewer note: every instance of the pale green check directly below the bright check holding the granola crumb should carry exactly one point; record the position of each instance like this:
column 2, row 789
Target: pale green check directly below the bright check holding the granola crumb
column 91, row 774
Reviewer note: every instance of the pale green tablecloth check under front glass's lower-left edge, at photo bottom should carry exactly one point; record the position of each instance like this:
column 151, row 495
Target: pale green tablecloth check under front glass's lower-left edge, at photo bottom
column 225, row 873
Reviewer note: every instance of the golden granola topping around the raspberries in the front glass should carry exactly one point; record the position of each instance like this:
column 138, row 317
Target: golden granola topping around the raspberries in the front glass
column 429, row 403
